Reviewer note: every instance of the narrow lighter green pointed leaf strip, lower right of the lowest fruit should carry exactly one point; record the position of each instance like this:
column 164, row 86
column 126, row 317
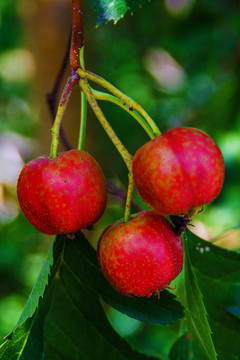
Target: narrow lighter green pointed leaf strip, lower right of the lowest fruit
column 196, row 314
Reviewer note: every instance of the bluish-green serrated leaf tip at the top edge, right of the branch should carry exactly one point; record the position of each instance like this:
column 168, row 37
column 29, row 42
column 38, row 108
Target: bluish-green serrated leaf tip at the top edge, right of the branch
column 108, row 10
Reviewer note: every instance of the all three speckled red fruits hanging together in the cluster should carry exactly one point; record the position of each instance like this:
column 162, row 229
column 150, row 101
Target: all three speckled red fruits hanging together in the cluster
column 176, row 173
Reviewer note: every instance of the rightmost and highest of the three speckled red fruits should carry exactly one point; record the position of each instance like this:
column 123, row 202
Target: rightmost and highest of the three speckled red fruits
column 179, row 171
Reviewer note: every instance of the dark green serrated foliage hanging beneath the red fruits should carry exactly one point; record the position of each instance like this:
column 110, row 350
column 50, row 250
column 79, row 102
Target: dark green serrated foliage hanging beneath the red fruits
column 75, row 277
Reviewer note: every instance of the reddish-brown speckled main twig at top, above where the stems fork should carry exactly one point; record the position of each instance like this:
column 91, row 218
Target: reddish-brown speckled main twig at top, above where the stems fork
column 77, row 34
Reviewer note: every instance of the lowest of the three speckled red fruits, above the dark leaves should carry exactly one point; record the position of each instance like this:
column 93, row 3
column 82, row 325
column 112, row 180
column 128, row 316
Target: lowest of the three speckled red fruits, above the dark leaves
column 141, row 256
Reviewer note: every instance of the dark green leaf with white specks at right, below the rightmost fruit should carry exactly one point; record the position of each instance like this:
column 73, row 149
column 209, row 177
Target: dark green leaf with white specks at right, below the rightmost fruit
column 216, row 269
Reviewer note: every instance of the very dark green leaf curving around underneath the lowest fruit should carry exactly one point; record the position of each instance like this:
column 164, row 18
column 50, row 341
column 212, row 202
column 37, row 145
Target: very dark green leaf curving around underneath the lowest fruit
column 165, row 310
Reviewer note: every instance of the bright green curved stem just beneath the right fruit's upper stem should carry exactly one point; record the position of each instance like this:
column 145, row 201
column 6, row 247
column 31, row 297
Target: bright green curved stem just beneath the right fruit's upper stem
column 99, row 95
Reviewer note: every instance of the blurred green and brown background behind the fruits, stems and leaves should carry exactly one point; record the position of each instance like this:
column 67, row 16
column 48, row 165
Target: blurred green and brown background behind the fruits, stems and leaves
column 180, row 59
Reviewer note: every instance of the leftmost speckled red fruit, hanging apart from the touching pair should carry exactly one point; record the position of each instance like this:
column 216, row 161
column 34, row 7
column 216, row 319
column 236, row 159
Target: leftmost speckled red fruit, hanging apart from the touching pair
column 64, row 194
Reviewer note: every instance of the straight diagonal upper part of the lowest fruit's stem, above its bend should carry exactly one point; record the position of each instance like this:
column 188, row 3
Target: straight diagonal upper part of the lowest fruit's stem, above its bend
column 127, row 157
